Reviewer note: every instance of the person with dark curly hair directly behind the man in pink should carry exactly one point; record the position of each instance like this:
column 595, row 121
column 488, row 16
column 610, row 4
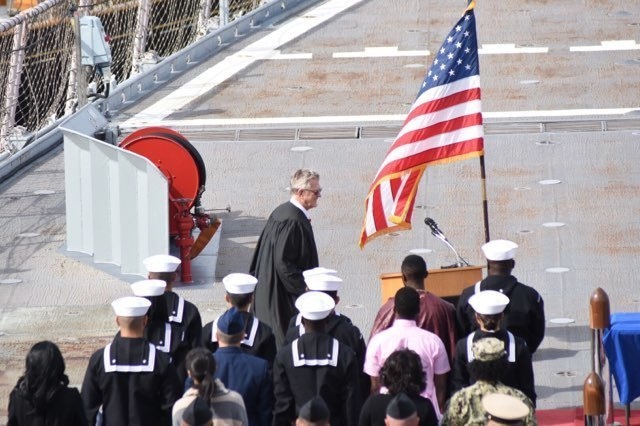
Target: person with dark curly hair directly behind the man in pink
column 401, row 373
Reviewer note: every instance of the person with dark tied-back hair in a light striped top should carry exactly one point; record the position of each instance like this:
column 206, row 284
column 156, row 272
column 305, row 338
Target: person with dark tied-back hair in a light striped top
column 227, row 405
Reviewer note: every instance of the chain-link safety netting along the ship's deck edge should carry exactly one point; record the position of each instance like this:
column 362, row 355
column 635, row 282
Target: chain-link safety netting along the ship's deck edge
column 38, row 71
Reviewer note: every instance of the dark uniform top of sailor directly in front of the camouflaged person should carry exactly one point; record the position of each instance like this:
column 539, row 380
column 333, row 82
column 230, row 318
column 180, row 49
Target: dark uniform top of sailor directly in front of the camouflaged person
column 519, row 371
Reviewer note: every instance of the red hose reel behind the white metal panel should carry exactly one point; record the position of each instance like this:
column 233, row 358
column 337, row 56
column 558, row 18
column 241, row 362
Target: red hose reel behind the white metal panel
column 184, row 169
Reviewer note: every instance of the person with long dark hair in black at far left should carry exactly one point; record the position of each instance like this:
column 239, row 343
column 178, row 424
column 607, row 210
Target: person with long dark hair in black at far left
column 42, row 395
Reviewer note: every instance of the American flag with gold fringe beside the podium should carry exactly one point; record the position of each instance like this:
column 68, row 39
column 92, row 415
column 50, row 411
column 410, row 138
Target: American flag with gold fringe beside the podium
column 443, row 125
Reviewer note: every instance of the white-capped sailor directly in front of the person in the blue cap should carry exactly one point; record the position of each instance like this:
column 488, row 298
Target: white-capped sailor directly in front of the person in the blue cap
column 258, row 338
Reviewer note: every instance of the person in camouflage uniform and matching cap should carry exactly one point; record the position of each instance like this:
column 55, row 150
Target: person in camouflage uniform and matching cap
column 465, row 406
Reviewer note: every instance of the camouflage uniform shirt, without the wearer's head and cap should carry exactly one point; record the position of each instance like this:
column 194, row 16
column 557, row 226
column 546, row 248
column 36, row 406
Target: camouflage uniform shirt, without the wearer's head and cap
column 465, row 406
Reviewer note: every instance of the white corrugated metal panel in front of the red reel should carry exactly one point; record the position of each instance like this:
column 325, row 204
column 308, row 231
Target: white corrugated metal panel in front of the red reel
column 116, row 203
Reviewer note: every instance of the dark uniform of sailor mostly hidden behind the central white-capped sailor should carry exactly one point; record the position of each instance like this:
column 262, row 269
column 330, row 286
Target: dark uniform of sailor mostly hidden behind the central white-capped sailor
column 340, row 327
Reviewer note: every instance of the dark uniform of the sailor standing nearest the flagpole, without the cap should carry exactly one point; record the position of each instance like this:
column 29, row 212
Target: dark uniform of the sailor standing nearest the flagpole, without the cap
column 524, row 315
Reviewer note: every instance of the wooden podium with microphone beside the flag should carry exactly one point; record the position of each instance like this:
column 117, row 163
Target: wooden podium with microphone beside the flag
column 441, row 282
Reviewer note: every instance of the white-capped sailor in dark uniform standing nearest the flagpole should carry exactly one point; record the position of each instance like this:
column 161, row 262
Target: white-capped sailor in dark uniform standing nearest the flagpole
column 524, row 316
